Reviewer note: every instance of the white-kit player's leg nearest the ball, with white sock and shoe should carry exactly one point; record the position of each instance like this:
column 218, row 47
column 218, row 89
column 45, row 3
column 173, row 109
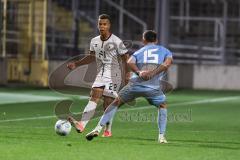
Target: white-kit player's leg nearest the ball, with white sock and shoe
column 89, row 110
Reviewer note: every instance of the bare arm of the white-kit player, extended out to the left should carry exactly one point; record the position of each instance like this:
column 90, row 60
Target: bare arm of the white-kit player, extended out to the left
column 85, row 60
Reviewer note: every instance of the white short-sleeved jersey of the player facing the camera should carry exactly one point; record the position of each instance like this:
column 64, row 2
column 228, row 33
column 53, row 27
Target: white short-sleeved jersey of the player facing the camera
column 107, row 54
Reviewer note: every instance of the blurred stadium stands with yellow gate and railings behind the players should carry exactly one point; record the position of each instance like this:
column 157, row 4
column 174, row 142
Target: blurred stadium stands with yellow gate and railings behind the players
column 38, row 35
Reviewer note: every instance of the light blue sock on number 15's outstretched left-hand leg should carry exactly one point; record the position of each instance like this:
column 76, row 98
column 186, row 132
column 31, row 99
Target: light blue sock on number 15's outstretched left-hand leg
column 108, row 114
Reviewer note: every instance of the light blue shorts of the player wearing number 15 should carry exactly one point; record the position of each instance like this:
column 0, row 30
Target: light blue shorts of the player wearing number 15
column 130, row 92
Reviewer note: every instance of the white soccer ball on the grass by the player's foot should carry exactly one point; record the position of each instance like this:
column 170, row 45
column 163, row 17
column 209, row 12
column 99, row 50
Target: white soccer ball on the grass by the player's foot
column 63, row 127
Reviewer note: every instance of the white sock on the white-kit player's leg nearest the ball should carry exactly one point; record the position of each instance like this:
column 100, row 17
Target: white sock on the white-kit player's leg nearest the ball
column 88, row 112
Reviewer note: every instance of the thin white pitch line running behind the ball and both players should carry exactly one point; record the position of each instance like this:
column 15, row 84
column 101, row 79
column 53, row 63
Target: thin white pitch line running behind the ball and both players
column 139, row 108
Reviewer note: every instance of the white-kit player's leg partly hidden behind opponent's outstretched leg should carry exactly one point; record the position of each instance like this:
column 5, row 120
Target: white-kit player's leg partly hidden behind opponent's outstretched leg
column 107, row 131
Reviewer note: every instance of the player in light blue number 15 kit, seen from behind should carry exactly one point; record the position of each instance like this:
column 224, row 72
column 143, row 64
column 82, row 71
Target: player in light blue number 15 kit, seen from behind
column 148, row 65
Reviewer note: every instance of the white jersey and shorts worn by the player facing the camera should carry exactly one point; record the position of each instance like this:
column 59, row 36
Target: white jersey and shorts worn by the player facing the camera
column 109, row 73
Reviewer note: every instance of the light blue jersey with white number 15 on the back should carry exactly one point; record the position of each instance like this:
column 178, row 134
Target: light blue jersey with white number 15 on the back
column 148, row 58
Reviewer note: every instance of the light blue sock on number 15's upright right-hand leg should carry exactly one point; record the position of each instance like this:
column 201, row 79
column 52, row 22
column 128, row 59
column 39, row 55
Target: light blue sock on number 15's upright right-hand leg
column 162, row 120
